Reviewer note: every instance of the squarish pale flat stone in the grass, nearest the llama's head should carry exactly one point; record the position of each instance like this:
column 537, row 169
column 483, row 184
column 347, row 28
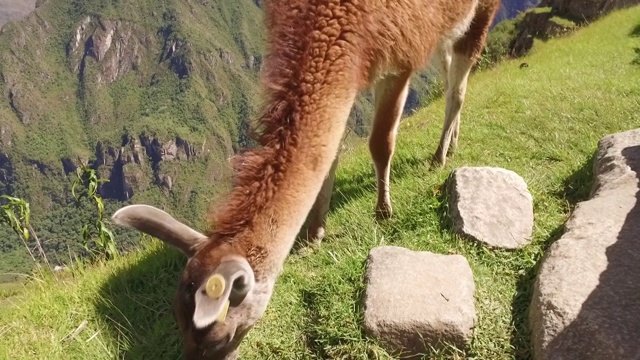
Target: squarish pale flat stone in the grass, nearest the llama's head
column 417, row 299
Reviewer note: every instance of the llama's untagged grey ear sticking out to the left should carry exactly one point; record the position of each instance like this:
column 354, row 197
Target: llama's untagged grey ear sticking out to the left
column 161, row 225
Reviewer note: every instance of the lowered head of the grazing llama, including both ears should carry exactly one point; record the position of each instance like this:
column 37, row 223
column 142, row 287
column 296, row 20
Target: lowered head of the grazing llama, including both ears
column 218, row 299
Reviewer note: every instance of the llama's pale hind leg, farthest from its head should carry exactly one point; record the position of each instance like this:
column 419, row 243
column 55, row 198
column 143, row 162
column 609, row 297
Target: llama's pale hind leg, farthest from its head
column 455, row 93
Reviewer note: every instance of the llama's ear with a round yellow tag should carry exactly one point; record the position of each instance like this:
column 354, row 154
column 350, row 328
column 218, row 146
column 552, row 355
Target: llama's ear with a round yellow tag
column 228, row 285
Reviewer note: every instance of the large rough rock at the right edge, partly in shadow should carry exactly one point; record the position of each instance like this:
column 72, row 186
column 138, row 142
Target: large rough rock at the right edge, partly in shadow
column 586, row 298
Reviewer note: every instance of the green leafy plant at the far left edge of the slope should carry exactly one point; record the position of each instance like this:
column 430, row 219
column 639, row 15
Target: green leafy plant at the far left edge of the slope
column 16, row 213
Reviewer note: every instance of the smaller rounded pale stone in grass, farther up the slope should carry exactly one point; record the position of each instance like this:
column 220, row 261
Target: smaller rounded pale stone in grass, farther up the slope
column 491, row 205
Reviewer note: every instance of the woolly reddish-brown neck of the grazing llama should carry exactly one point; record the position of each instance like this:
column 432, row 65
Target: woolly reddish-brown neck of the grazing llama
column 313, row 78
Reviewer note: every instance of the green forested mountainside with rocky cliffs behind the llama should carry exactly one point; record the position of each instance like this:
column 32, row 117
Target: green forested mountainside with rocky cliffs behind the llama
column 153, row 95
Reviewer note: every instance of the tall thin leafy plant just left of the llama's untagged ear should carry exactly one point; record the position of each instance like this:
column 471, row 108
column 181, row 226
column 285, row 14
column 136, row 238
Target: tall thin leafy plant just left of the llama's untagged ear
column 97, row 232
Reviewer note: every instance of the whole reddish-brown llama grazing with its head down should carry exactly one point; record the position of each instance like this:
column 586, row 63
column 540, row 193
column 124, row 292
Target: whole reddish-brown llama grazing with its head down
column 321, row 54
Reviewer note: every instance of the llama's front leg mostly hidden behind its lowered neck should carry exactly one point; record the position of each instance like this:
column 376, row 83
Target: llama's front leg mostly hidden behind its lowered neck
column 320, row 209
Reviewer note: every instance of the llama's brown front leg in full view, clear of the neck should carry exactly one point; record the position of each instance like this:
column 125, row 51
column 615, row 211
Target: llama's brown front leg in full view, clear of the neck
column 390, row 96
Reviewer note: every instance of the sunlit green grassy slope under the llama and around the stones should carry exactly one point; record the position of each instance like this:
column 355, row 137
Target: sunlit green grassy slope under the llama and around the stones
column 543, row 122
